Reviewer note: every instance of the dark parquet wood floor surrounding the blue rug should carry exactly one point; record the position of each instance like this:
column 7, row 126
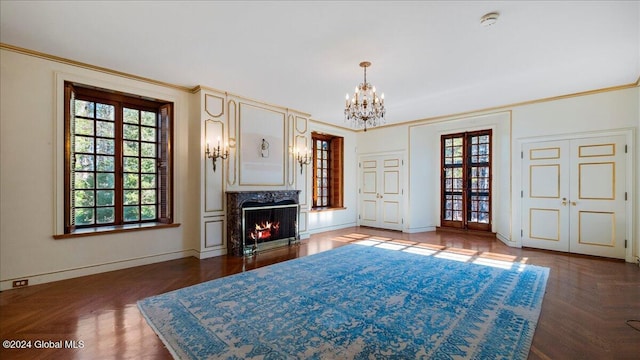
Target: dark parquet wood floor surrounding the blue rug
column 583, row 316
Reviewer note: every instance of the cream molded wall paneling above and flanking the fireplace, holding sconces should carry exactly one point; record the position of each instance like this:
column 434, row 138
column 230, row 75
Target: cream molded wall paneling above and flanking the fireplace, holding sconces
column 261, row 140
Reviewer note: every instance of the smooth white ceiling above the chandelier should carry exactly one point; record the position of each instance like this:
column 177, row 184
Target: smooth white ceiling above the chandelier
column 430, row 58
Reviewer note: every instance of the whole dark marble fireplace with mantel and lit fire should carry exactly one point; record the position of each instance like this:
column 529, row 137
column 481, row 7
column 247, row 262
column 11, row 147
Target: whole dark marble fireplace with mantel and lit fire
column 261, row 220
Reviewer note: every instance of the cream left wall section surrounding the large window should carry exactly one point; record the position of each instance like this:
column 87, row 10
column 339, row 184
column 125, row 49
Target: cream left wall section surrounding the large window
column 31, row 181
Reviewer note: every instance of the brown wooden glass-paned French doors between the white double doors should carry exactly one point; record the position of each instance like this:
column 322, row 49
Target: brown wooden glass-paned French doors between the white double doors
column 466, row 180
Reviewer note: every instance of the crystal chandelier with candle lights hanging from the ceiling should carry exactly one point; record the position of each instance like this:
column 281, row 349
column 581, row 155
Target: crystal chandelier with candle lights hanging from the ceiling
column 365, row 109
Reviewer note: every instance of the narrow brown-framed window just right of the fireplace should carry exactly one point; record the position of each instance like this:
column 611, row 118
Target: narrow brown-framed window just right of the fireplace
column 327, row 171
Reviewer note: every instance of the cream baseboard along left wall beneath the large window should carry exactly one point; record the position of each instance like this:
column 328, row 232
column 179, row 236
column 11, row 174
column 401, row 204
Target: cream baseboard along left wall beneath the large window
column 43, row 278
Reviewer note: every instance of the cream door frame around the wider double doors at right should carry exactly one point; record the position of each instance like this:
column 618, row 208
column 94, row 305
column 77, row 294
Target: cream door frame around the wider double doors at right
column 630, row 179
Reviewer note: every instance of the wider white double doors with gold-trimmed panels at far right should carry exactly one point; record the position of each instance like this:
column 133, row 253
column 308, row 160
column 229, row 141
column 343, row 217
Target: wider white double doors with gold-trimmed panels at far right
column 574, row 194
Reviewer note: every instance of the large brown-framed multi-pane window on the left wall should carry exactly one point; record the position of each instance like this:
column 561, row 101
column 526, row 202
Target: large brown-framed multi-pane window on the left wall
column 117, row 159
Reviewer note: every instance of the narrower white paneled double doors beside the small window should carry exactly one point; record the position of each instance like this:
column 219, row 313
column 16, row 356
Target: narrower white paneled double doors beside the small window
column 380, row 192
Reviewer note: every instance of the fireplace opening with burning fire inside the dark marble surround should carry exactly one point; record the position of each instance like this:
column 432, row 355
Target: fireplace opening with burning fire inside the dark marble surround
column 265, row 226
